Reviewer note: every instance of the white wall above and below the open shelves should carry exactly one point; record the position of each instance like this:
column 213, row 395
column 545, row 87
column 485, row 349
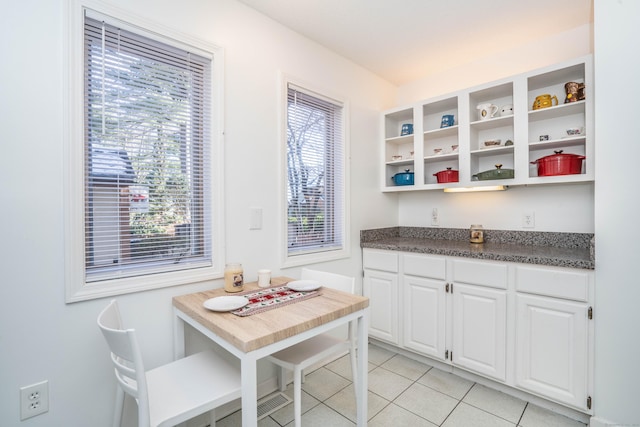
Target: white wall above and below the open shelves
column 567, row 208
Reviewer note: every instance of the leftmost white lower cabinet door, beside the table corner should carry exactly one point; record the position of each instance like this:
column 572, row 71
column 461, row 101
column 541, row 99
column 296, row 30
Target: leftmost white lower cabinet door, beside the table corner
column 382, row 290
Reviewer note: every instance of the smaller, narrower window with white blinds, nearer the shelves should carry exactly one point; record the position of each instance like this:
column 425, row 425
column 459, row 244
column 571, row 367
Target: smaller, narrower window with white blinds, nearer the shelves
column 315, row 177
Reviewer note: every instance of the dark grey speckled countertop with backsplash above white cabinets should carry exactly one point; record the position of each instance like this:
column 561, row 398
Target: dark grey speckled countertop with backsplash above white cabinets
column 575, row 250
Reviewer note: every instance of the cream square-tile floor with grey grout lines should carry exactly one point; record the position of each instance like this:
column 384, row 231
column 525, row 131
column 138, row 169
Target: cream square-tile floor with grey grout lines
column 404, row 392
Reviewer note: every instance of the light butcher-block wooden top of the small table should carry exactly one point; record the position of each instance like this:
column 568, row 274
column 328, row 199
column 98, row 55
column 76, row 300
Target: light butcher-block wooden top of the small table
column 258, row 330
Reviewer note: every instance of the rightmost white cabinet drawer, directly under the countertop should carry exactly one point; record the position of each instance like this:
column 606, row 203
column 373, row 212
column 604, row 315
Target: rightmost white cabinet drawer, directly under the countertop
column 554, row 282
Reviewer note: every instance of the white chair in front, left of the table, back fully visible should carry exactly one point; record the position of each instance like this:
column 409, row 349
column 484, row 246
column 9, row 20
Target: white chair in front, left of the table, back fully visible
column 169, row 394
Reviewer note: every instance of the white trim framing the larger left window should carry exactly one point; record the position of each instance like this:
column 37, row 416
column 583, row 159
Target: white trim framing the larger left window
column 77, row 288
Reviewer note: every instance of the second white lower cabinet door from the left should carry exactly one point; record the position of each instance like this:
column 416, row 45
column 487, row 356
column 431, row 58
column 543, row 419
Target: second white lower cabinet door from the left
column 424, row 316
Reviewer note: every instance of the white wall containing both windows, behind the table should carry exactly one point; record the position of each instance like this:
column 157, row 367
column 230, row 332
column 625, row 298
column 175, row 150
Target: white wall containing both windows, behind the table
column 43, row 338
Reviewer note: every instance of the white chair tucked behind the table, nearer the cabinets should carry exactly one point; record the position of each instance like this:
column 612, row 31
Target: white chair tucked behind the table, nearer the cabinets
column 319, row 348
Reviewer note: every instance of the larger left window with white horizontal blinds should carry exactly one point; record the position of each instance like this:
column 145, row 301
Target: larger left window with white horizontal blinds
column 147, row 161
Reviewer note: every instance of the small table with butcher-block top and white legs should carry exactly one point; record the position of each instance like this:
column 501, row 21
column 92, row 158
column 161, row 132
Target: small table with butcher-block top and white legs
column 255, row 336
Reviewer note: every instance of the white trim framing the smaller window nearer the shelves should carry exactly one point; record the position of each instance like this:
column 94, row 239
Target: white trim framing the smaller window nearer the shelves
column 329, row 254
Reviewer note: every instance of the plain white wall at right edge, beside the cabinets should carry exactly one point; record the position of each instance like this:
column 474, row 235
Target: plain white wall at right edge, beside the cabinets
column 617, row 67
